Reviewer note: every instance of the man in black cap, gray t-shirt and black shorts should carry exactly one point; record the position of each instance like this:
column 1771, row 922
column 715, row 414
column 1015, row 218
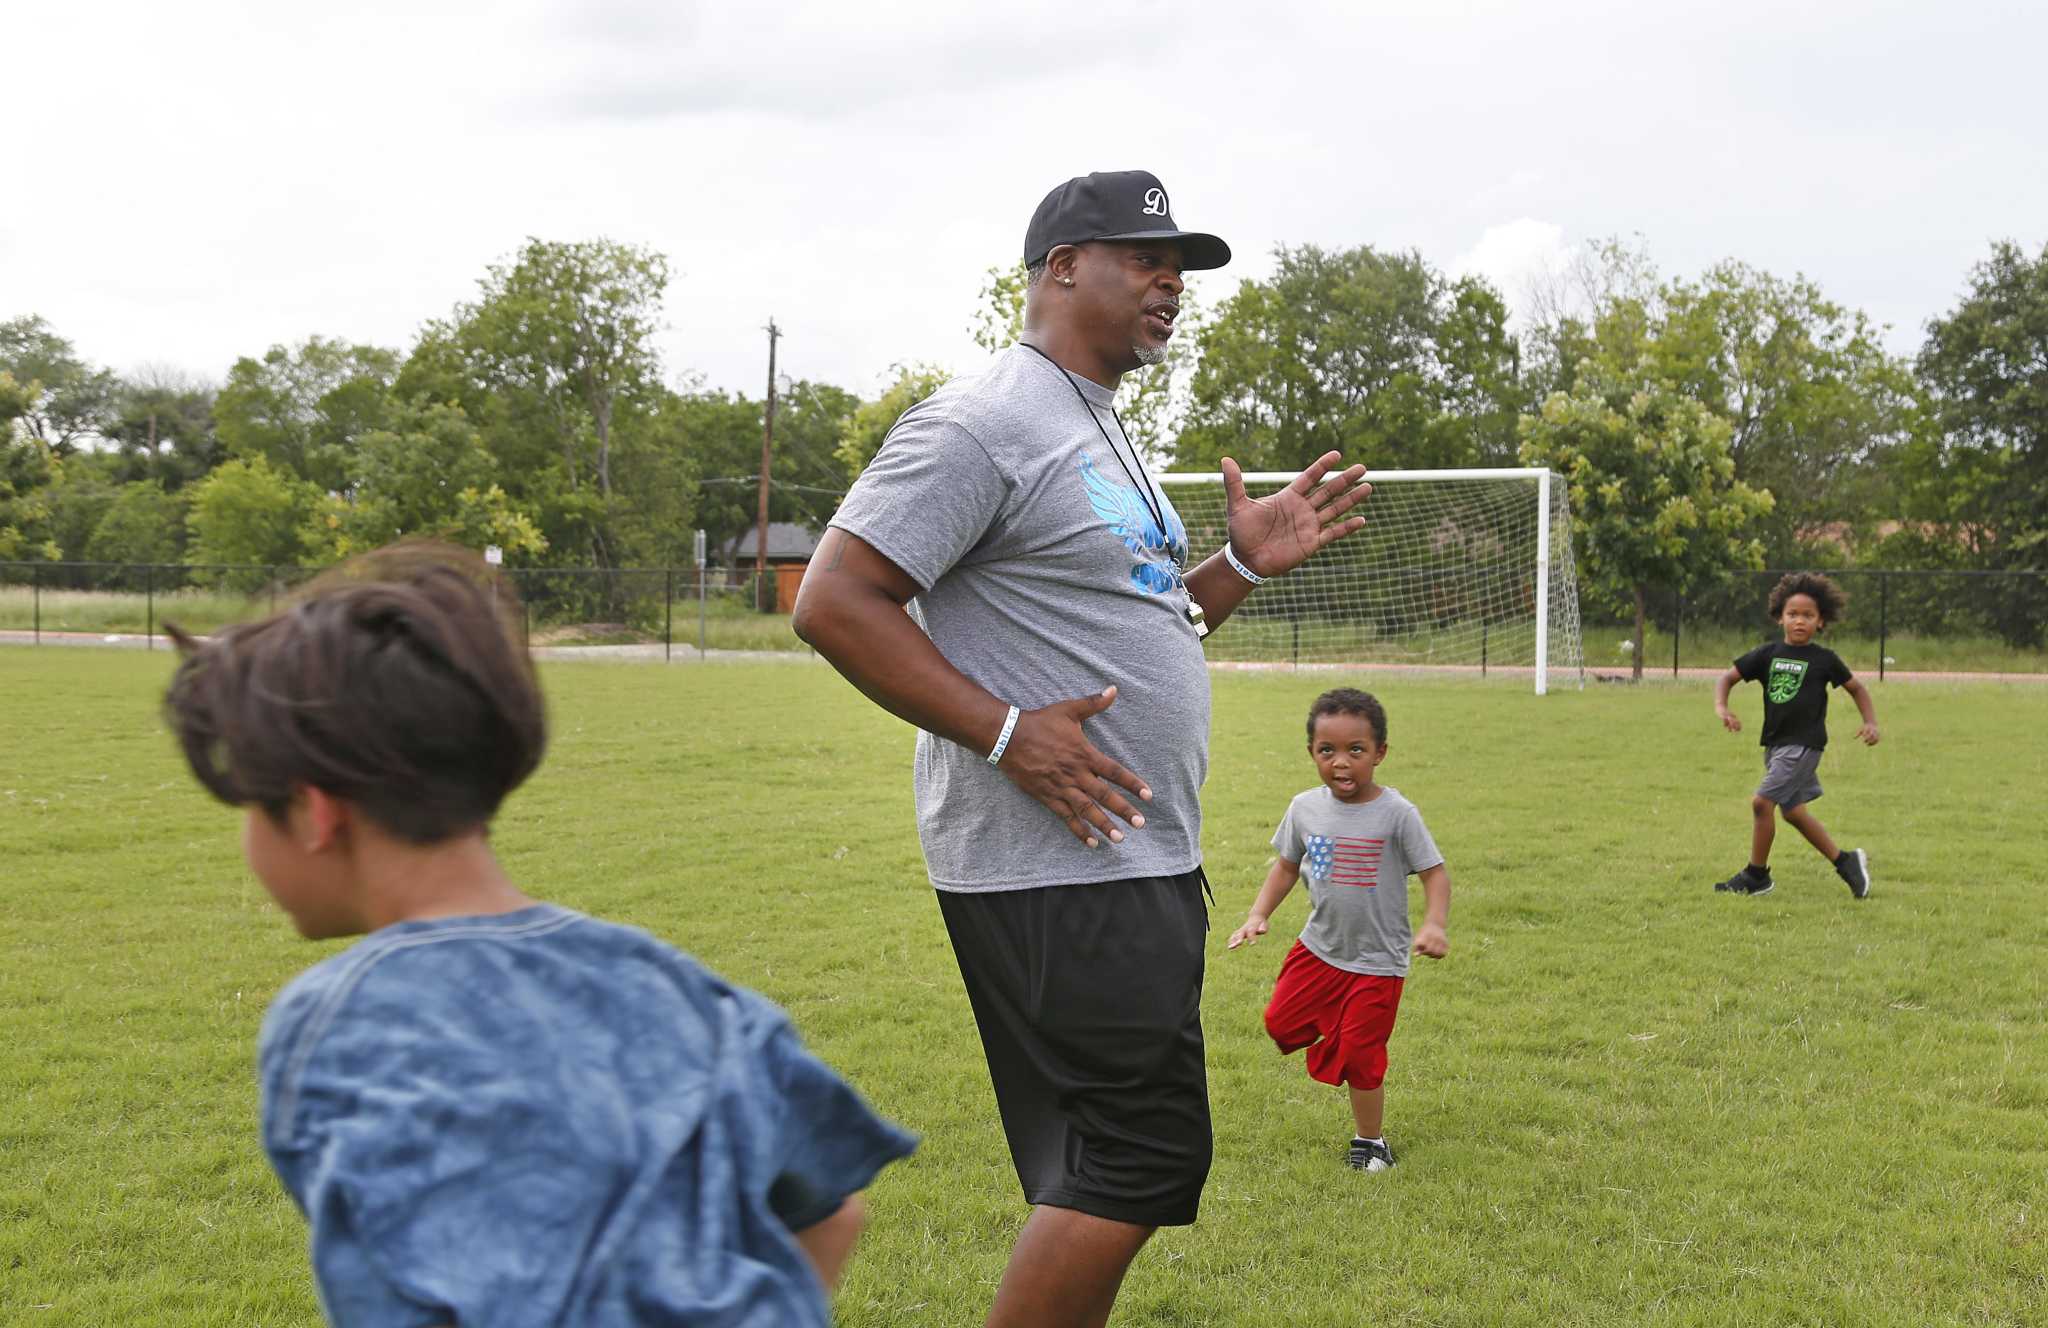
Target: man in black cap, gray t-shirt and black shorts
column 1050, row 573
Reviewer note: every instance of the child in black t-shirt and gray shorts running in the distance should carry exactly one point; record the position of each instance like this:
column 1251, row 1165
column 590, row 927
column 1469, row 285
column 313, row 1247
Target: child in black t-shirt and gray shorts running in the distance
column 1795, row 677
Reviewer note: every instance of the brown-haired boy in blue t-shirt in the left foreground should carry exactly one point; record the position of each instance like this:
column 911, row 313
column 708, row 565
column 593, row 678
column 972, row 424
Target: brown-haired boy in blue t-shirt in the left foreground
column 495, row 1110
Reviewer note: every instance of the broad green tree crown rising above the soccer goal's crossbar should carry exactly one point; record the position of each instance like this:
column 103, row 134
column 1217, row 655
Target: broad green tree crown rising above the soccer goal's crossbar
column 1369, row 354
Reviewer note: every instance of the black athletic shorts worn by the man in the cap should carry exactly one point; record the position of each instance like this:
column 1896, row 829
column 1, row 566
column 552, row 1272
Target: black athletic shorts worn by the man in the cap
column 1091, row 1011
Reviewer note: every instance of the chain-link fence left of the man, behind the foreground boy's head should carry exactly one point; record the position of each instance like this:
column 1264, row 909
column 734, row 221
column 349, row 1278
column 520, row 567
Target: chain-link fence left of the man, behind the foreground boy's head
column 638, row 610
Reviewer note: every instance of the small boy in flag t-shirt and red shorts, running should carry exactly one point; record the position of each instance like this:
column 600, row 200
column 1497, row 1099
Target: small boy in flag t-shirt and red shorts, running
column 1340, row 985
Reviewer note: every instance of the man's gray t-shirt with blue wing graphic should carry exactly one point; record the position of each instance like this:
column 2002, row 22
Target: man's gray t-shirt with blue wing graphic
column 1046, row 579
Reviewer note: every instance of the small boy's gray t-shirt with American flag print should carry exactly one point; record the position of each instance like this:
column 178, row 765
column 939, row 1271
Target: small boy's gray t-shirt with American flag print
column 1357, row 860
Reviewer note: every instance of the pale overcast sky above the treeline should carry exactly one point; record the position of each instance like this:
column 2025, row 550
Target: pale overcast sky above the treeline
column 200, row 181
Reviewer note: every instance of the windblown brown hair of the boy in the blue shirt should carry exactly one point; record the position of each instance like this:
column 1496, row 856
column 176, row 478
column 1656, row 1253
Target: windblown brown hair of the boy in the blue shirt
column 396, row 683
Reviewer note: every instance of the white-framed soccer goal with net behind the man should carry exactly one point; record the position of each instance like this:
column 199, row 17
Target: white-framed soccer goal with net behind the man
column 1461, row 569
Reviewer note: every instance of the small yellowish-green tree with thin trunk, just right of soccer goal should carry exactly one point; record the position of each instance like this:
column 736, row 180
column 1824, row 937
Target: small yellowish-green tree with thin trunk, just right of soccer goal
column 1654, row 491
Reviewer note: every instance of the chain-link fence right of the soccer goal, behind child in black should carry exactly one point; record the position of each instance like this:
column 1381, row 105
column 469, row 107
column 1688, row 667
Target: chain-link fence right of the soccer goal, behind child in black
column 1897, row 622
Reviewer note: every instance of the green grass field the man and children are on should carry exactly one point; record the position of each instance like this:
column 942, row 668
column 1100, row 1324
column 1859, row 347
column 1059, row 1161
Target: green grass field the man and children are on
column 1623, row 1099
